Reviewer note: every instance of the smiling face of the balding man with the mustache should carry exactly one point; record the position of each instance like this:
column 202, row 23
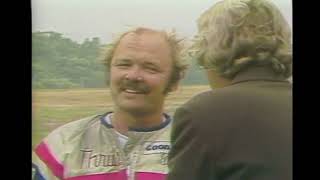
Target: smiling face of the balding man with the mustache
column 140, row 71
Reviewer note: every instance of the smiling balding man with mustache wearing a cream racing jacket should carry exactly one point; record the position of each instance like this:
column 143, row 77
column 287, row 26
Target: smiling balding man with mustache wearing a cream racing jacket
column 132, row 142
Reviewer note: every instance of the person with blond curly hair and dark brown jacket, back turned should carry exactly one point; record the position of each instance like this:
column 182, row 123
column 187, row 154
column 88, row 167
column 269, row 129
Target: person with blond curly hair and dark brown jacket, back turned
column 242, row 129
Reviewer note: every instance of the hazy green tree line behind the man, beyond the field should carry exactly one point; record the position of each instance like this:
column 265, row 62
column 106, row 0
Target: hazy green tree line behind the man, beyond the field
column 60, row 62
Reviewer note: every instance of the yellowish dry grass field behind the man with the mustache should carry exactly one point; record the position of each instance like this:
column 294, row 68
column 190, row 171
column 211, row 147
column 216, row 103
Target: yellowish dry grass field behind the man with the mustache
column 53, row 108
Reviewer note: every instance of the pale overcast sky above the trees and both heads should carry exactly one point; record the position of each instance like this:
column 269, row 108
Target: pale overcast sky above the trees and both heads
column 80, row 19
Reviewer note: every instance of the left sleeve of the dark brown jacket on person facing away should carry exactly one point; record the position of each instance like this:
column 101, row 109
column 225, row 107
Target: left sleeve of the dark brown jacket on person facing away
column 187, row 156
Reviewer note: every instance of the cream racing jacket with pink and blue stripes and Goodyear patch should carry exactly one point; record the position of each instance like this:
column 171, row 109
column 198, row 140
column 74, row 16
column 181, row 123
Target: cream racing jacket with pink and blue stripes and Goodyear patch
column 89, row 149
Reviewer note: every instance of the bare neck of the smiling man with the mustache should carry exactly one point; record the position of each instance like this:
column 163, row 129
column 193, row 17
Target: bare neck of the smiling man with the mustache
column 121, row 121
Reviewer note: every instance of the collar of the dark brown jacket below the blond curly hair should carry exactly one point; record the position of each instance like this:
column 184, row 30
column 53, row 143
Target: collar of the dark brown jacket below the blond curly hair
column 257, row 73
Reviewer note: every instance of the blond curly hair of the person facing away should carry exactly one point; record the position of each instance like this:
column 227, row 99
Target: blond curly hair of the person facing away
column 234, row 34
